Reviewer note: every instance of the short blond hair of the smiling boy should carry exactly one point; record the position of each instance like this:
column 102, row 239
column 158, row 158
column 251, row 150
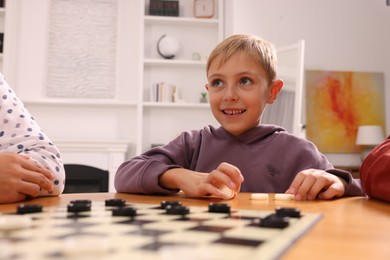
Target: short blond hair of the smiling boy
column 262, row 51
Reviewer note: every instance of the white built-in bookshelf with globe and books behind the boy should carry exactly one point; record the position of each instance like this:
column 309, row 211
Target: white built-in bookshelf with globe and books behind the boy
column 161, row 122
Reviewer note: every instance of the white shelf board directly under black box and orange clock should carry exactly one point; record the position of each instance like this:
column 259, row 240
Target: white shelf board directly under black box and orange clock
column 163, row 20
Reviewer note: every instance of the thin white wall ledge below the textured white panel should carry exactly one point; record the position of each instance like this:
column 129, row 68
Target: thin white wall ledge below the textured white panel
column 80, row 102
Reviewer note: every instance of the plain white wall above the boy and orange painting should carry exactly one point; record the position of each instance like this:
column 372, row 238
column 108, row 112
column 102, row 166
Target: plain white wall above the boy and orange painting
column 350, row 35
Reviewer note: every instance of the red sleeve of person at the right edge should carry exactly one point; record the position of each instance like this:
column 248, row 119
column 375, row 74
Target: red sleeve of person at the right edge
column 375, row 172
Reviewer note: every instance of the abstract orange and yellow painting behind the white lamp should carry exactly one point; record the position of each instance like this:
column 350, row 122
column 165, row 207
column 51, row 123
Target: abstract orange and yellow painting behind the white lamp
column 337, row 102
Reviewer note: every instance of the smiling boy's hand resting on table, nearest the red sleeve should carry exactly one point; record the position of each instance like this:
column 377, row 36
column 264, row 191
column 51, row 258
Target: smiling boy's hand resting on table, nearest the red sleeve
column 312, row 183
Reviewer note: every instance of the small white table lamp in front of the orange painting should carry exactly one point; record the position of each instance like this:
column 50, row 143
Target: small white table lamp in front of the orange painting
column 369, row 136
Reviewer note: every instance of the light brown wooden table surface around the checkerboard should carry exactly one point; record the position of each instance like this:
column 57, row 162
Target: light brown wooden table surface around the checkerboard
column 351, row 228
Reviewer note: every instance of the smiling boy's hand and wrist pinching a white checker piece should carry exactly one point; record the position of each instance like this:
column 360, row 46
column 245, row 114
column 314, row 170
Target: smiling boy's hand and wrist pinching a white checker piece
column 197, row 184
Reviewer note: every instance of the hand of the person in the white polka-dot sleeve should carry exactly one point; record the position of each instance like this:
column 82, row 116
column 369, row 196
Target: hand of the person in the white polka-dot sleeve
column 21, row 177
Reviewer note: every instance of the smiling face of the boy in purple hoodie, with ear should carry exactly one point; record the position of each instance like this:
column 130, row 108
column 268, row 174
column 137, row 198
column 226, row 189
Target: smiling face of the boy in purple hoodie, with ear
column 238, row 92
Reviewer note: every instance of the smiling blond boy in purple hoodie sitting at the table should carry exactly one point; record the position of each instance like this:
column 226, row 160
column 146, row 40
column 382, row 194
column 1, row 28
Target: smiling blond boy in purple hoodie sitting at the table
column 241, row 74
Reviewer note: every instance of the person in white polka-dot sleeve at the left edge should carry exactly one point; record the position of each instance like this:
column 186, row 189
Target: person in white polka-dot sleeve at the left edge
column 30, row 165
